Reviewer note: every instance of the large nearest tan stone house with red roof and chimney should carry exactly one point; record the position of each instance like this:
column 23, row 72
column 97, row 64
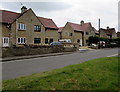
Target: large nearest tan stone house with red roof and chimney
column 26, row 28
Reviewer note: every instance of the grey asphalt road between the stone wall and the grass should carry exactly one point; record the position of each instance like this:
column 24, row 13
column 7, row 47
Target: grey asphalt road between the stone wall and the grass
column 18, row 68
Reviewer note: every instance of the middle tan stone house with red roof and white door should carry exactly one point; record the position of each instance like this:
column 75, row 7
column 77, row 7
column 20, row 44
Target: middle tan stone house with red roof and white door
column 77, row 33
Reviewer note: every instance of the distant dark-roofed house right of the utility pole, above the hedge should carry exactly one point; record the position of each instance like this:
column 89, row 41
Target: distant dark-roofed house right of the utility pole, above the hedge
column 108, row 33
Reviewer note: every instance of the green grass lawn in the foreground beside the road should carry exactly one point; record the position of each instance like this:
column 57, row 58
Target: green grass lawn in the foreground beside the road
column 97, row 74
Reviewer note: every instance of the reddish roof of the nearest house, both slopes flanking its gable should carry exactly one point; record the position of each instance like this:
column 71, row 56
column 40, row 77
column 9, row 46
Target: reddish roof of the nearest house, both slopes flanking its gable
column 9, row 17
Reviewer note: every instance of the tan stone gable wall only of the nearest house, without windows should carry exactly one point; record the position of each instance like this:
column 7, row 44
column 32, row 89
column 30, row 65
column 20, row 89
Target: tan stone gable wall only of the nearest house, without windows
column 29, row 19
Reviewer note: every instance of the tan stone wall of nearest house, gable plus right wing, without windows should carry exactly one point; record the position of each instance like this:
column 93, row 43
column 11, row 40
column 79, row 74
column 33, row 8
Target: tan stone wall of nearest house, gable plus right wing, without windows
column 30, row 20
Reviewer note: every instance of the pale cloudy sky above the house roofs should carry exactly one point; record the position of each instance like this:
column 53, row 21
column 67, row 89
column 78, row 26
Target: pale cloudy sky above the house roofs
column 62, row 11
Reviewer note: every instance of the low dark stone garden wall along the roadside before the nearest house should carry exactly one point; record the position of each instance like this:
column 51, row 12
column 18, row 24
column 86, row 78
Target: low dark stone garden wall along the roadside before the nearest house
column 24, row 51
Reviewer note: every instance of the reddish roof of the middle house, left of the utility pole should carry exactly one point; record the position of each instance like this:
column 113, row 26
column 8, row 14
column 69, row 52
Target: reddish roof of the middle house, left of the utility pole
column 79, row 27
